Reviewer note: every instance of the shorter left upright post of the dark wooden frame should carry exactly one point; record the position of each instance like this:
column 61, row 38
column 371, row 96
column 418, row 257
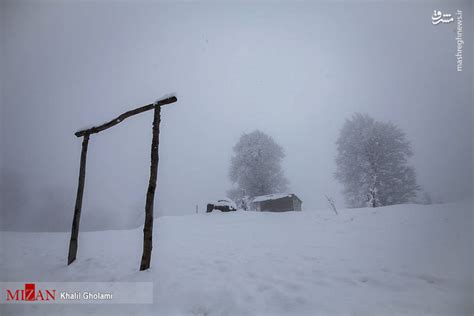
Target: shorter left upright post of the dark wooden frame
column 78, row 207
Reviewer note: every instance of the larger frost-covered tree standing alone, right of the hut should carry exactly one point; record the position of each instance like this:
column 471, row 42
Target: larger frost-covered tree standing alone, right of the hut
column 372, row 163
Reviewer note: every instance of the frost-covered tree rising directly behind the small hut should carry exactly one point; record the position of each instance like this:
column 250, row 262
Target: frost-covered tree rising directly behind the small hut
column 255, row 168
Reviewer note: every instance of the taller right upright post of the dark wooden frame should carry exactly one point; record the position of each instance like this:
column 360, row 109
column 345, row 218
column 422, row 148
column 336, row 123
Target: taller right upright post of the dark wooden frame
column 150, row 197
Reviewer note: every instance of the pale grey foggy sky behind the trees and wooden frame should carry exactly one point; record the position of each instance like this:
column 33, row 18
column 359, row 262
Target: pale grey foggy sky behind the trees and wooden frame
column 293, row 70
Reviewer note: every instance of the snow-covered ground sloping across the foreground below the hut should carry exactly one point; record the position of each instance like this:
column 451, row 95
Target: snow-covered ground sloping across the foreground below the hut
column 397, row 260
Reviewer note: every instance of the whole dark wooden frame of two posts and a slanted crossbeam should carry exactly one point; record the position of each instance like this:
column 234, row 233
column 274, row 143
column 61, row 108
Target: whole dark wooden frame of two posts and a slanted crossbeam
column 148, row 227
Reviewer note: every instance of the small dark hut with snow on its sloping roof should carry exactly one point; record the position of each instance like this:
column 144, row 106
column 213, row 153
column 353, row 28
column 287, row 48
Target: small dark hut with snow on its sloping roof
column 281, row 202
